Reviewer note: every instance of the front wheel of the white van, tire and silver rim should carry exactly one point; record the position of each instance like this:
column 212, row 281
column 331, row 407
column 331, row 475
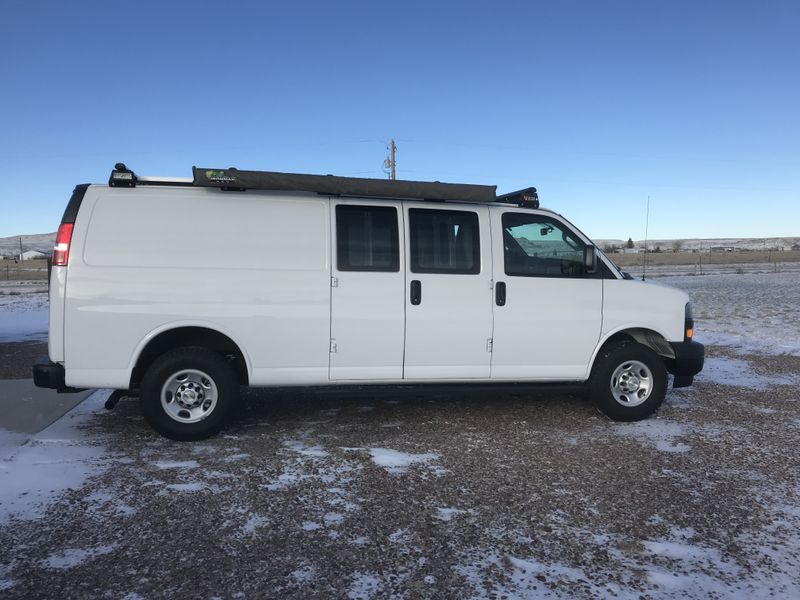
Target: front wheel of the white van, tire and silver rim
column 628, row 382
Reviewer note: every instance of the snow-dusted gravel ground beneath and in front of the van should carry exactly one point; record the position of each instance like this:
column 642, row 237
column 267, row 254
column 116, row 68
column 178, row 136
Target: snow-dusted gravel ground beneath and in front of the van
column 411, row 495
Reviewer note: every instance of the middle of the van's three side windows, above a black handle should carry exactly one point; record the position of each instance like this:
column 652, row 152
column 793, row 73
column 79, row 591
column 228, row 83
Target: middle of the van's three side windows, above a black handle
column 444, row 241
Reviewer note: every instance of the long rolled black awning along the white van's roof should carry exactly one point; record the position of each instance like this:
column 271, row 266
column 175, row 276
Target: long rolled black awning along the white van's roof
column 342, row 186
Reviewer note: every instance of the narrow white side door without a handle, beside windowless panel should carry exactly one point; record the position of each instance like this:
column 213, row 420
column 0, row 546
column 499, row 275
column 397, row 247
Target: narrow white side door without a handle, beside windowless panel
column 367, row 290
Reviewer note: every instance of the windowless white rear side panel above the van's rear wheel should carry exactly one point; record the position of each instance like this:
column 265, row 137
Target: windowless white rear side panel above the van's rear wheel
column 252, row 265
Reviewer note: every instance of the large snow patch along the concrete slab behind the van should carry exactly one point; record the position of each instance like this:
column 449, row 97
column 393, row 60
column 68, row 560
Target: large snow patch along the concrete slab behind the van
column 59, row 458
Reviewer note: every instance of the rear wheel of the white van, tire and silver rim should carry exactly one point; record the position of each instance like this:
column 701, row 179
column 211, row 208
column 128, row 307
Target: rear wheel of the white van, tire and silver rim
column 188, row 394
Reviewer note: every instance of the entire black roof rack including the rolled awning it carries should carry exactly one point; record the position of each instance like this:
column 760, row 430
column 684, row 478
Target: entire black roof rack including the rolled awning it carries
column 235, row 180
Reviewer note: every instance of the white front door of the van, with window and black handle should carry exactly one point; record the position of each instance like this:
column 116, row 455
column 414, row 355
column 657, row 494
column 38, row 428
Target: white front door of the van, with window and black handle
column 548, row 309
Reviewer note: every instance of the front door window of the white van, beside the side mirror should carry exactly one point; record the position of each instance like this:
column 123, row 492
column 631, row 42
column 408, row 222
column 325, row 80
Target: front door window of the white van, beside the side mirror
column 538, row 246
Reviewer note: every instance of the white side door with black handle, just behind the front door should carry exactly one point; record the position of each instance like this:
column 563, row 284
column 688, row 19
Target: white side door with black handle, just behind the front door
column 448, row 298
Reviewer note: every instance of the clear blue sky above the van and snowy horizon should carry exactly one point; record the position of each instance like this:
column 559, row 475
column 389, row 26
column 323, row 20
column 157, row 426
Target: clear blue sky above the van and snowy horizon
column 598, row 104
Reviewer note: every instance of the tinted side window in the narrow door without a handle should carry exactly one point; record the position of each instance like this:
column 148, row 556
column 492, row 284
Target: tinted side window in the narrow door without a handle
column 367, row 238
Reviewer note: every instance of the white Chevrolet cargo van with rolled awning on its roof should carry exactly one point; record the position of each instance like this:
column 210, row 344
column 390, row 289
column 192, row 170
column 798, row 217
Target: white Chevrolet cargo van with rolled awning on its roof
column 183, row 290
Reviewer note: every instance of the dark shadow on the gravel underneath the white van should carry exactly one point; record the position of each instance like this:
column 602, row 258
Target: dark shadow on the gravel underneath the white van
column 287, row 409
